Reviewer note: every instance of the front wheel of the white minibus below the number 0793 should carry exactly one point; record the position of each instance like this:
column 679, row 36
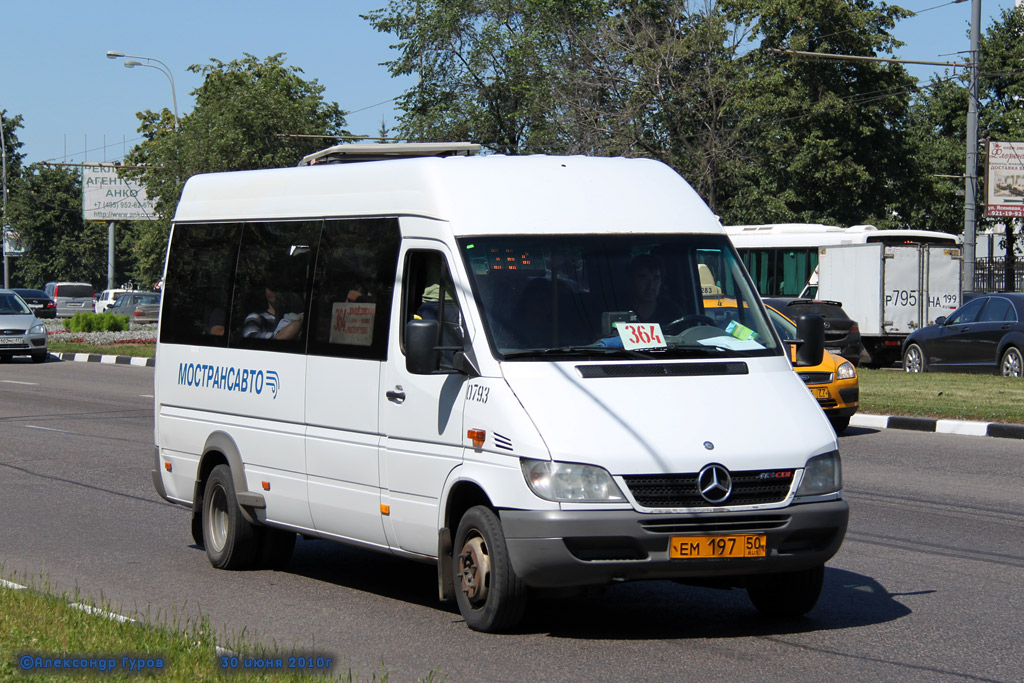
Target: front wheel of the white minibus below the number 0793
column 492, row 599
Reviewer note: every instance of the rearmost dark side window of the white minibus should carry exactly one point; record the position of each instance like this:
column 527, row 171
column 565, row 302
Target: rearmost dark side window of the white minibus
column 200, row 275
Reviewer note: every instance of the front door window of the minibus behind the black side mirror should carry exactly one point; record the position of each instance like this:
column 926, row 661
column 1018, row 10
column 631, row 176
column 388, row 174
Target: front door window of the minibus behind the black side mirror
column 430, row 294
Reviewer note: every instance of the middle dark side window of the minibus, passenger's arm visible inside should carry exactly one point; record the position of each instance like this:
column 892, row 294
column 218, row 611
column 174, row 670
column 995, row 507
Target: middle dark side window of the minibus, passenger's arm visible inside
column 271, row 298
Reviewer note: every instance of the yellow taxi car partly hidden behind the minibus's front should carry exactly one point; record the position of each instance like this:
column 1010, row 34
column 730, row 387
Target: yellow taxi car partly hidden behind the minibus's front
column 834, row 382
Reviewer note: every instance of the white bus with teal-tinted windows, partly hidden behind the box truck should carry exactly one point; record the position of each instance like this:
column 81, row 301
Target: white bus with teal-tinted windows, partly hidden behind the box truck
column 783, row 258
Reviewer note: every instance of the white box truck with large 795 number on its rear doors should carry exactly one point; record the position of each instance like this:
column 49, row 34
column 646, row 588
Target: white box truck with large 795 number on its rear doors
column 890, row 290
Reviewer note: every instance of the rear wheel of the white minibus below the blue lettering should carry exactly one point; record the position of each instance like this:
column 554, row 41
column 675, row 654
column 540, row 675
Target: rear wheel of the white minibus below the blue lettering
column 232, row 541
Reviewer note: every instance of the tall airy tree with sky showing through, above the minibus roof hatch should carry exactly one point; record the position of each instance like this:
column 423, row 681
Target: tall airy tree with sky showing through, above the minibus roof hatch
column 487, row 68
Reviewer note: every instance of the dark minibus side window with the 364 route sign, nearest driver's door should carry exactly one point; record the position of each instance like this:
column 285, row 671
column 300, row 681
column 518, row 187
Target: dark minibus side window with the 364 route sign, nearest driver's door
column 354, row 287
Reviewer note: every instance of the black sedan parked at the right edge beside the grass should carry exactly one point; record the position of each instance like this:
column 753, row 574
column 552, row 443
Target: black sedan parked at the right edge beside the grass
column 987, row 334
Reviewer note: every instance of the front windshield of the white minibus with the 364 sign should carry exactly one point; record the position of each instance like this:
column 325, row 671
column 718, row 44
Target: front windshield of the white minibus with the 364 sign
column 618, row 296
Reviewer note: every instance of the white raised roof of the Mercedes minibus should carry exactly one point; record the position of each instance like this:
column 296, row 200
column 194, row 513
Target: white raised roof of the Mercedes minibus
column 483, row 195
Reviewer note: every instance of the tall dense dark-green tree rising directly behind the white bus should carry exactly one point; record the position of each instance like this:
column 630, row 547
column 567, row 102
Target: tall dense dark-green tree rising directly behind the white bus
column 829, row 140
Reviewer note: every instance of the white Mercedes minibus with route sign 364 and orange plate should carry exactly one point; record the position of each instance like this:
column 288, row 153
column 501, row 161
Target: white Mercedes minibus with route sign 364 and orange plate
column 498, row 365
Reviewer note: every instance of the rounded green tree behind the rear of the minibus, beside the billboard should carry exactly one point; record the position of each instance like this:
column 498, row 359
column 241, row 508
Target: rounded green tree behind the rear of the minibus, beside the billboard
column 248, row 115
